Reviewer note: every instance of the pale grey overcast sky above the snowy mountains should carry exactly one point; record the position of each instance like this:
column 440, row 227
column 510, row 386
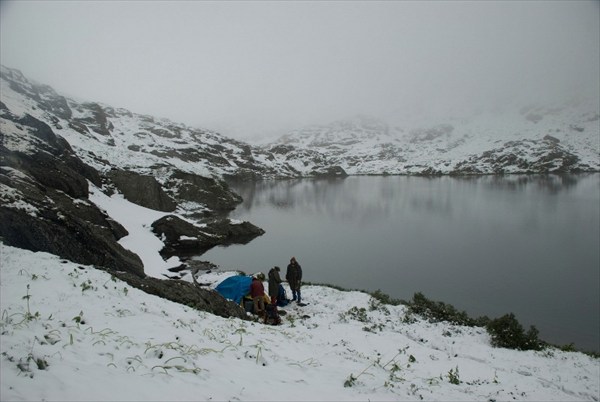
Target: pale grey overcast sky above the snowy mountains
column 250, row 68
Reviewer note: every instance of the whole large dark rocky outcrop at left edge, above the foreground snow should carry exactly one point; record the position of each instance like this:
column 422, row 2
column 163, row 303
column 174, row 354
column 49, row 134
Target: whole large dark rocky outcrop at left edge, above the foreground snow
column 44, row 199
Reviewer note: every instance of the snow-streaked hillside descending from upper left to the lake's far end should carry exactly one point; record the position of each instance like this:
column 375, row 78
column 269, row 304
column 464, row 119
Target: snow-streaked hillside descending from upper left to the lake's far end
column 105, row 137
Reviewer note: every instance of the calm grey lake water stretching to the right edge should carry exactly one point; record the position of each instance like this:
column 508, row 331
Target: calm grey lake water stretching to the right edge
column 488, row 245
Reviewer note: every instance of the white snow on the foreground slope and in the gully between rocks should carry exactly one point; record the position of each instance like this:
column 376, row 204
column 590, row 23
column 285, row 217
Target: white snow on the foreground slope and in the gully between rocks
column 71, row 332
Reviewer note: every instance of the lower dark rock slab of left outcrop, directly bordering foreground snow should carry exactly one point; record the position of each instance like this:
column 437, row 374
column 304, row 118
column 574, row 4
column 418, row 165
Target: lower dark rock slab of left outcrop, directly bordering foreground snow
column 53, row 222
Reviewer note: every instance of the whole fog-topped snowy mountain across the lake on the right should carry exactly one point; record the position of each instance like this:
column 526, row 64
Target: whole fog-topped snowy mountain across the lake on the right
column 565, row 138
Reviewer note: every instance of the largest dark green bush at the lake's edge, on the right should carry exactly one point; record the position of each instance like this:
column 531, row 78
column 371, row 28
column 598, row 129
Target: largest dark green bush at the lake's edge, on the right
column 507, row 332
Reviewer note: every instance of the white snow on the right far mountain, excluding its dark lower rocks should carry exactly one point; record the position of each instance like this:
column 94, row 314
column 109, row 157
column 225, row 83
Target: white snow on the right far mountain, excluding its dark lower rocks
column 413, row 144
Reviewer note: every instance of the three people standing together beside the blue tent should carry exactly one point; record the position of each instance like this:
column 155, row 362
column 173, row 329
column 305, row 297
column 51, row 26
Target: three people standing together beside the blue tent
column 293, row 277
